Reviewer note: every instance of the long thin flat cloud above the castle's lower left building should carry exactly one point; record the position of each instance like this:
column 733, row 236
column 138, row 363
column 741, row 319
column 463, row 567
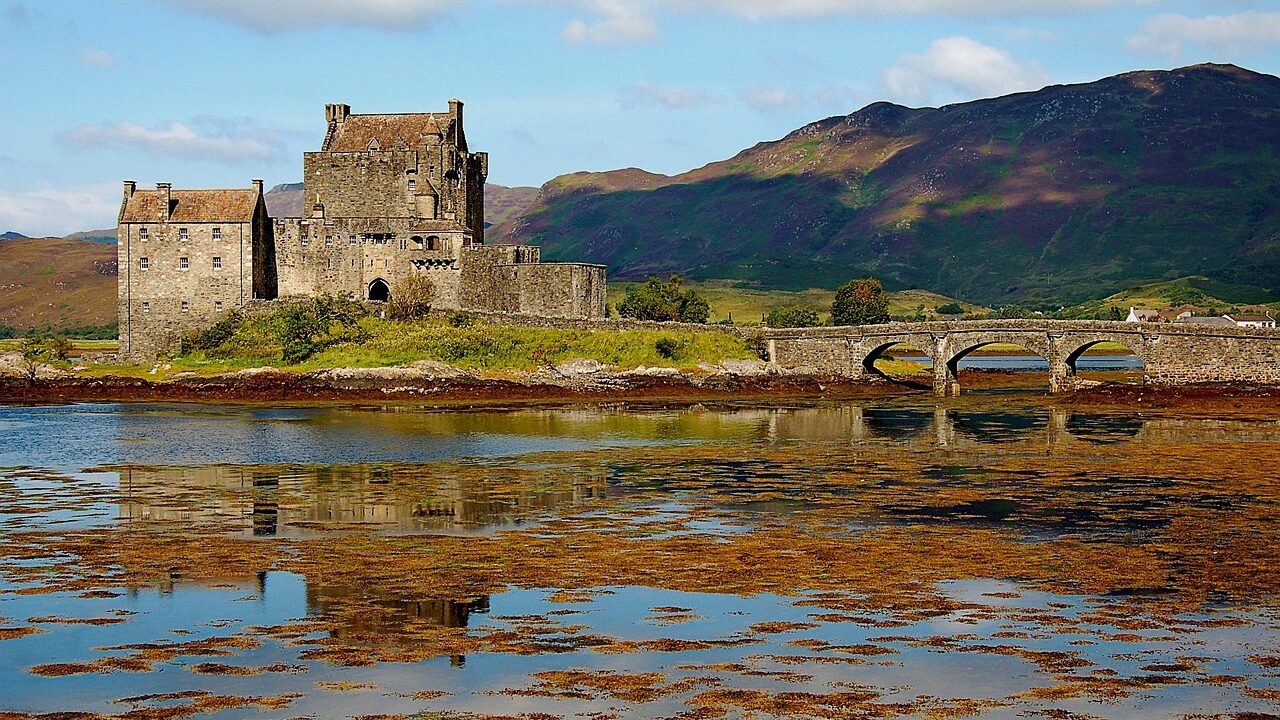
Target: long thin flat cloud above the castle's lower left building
column 218, row 140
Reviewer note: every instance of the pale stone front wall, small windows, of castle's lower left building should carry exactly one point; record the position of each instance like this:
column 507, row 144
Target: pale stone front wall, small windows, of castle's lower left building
column 150, row 302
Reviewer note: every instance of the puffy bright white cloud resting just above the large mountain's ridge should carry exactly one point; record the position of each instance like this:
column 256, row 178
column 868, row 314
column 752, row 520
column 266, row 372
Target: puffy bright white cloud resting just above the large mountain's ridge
column 962, row 67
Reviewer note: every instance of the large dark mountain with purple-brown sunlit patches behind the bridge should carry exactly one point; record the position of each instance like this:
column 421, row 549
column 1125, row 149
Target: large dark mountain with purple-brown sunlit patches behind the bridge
column 1040, row 198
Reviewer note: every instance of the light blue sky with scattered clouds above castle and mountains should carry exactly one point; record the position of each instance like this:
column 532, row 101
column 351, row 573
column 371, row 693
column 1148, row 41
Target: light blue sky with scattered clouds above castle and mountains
column 218, row 93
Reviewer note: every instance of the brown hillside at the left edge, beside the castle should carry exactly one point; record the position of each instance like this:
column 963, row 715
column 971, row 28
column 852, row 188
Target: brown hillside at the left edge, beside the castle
column 57, row 284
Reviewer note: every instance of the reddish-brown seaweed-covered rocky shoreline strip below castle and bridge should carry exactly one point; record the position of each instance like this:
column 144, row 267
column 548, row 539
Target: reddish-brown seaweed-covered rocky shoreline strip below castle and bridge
column 354, row 386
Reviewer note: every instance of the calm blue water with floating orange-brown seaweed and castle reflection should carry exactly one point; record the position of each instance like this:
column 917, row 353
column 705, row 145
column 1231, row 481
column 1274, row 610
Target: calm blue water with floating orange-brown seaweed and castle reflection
column 995, row 557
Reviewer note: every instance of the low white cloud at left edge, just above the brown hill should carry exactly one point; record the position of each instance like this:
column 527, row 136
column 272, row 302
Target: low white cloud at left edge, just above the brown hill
column 53, row 212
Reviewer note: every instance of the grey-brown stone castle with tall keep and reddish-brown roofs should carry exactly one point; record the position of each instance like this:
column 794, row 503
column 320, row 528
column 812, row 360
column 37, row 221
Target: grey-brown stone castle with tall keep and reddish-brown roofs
column 388, row 197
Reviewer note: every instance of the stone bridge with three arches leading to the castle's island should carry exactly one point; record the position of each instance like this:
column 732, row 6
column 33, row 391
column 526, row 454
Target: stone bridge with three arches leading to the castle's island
column 1172, row 354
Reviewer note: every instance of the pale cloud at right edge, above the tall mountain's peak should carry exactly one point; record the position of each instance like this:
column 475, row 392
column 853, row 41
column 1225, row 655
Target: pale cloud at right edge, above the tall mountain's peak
column 1246, row 33
